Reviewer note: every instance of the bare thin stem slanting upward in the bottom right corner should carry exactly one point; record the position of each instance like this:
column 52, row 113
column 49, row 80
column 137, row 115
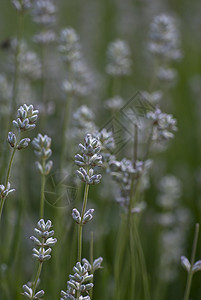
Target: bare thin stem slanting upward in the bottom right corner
column 190, row 274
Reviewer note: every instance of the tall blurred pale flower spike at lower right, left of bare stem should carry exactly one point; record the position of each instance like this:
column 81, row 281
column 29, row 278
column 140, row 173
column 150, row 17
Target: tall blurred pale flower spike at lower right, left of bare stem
column 173, row 220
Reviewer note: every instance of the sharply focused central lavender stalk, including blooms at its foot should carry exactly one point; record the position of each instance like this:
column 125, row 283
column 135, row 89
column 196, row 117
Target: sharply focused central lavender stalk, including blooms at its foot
column 78, row 286
